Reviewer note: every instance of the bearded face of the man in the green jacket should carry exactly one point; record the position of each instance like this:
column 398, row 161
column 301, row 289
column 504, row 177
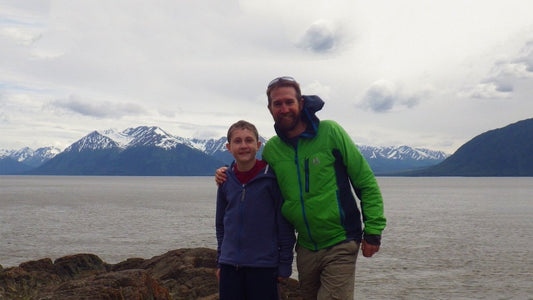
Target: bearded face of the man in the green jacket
column 285, row 109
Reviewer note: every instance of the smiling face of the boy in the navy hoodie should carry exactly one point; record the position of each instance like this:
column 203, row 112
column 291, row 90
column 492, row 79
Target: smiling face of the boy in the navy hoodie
column 243, row 145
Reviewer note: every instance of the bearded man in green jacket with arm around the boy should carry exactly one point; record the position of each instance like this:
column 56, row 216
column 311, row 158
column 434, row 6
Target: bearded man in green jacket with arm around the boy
column 317, row 164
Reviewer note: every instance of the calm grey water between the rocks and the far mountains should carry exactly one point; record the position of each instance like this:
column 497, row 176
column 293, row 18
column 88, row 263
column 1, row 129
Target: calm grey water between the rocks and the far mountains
column 447, row 238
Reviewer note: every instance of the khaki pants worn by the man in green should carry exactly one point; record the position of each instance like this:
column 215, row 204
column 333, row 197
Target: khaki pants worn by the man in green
column 327, row 273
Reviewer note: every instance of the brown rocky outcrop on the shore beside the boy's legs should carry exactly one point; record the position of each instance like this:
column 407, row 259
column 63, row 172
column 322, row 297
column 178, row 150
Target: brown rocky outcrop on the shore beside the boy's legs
column 178, row 274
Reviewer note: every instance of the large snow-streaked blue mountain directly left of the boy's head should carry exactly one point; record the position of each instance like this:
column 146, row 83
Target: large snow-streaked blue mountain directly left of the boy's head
column 146, row 151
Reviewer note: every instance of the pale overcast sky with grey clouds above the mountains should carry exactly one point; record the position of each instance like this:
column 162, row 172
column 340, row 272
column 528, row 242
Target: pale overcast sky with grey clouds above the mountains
column 430, row 74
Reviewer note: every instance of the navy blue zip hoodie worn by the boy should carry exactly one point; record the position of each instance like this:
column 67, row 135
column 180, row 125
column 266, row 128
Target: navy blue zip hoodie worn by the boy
column 251, row 232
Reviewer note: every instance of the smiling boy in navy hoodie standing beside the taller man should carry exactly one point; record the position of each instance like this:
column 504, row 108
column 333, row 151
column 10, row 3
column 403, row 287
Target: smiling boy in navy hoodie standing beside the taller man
column 255, row 242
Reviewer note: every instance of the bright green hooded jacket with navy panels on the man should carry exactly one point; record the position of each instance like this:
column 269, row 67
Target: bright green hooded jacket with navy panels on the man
column 316, row 173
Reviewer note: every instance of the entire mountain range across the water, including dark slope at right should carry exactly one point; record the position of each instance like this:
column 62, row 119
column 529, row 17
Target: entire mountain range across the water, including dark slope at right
column 160, row 153
